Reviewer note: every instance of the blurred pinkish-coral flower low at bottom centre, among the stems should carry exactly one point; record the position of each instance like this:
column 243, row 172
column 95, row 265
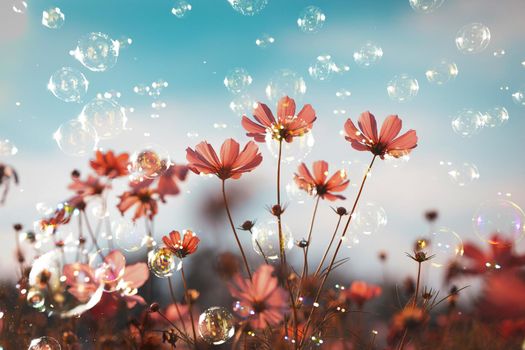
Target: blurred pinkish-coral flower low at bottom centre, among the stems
column 262, row 297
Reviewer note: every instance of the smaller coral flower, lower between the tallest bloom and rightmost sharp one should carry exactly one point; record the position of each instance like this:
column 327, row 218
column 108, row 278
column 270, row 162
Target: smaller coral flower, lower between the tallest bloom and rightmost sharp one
column 323, row 188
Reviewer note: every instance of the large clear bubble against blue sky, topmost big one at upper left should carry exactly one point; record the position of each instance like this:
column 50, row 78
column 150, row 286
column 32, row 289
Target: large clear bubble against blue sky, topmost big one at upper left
column 97, row 51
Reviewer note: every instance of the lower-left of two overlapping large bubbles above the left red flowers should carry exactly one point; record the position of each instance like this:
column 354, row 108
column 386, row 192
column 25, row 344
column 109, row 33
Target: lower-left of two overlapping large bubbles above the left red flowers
column 76, row 138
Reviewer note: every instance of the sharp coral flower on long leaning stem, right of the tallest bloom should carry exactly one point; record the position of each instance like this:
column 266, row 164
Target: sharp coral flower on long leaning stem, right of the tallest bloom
column 366, row 139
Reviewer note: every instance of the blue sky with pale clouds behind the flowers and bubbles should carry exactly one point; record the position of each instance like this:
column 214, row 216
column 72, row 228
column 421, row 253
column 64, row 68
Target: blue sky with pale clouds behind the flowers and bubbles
column 175, row 50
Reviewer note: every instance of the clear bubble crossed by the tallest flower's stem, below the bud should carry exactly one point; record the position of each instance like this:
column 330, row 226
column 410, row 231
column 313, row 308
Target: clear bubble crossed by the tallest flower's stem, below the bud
column 265, row 237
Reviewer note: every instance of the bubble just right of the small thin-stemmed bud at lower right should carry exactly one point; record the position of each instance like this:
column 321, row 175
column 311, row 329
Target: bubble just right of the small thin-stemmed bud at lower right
column 445, row 245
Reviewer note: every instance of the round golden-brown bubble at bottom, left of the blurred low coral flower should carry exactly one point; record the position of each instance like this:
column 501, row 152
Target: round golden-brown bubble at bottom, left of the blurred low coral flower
column 216, row 325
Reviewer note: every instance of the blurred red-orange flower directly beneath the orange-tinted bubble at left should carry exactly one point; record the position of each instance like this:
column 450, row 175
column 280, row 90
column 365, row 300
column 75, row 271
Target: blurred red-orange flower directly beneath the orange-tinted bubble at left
column 141, row 196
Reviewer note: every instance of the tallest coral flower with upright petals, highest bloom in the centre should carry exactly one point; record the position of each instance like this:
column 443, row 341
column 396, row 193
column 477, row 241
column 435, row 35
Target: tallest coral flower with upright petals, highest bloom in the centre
column 286, row 127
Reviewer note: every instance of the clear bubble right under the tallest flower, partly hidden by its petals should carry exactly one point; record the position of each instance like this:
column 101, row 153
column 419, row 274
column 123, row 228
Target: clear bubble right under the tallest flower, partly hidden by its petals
column 294, row 151
